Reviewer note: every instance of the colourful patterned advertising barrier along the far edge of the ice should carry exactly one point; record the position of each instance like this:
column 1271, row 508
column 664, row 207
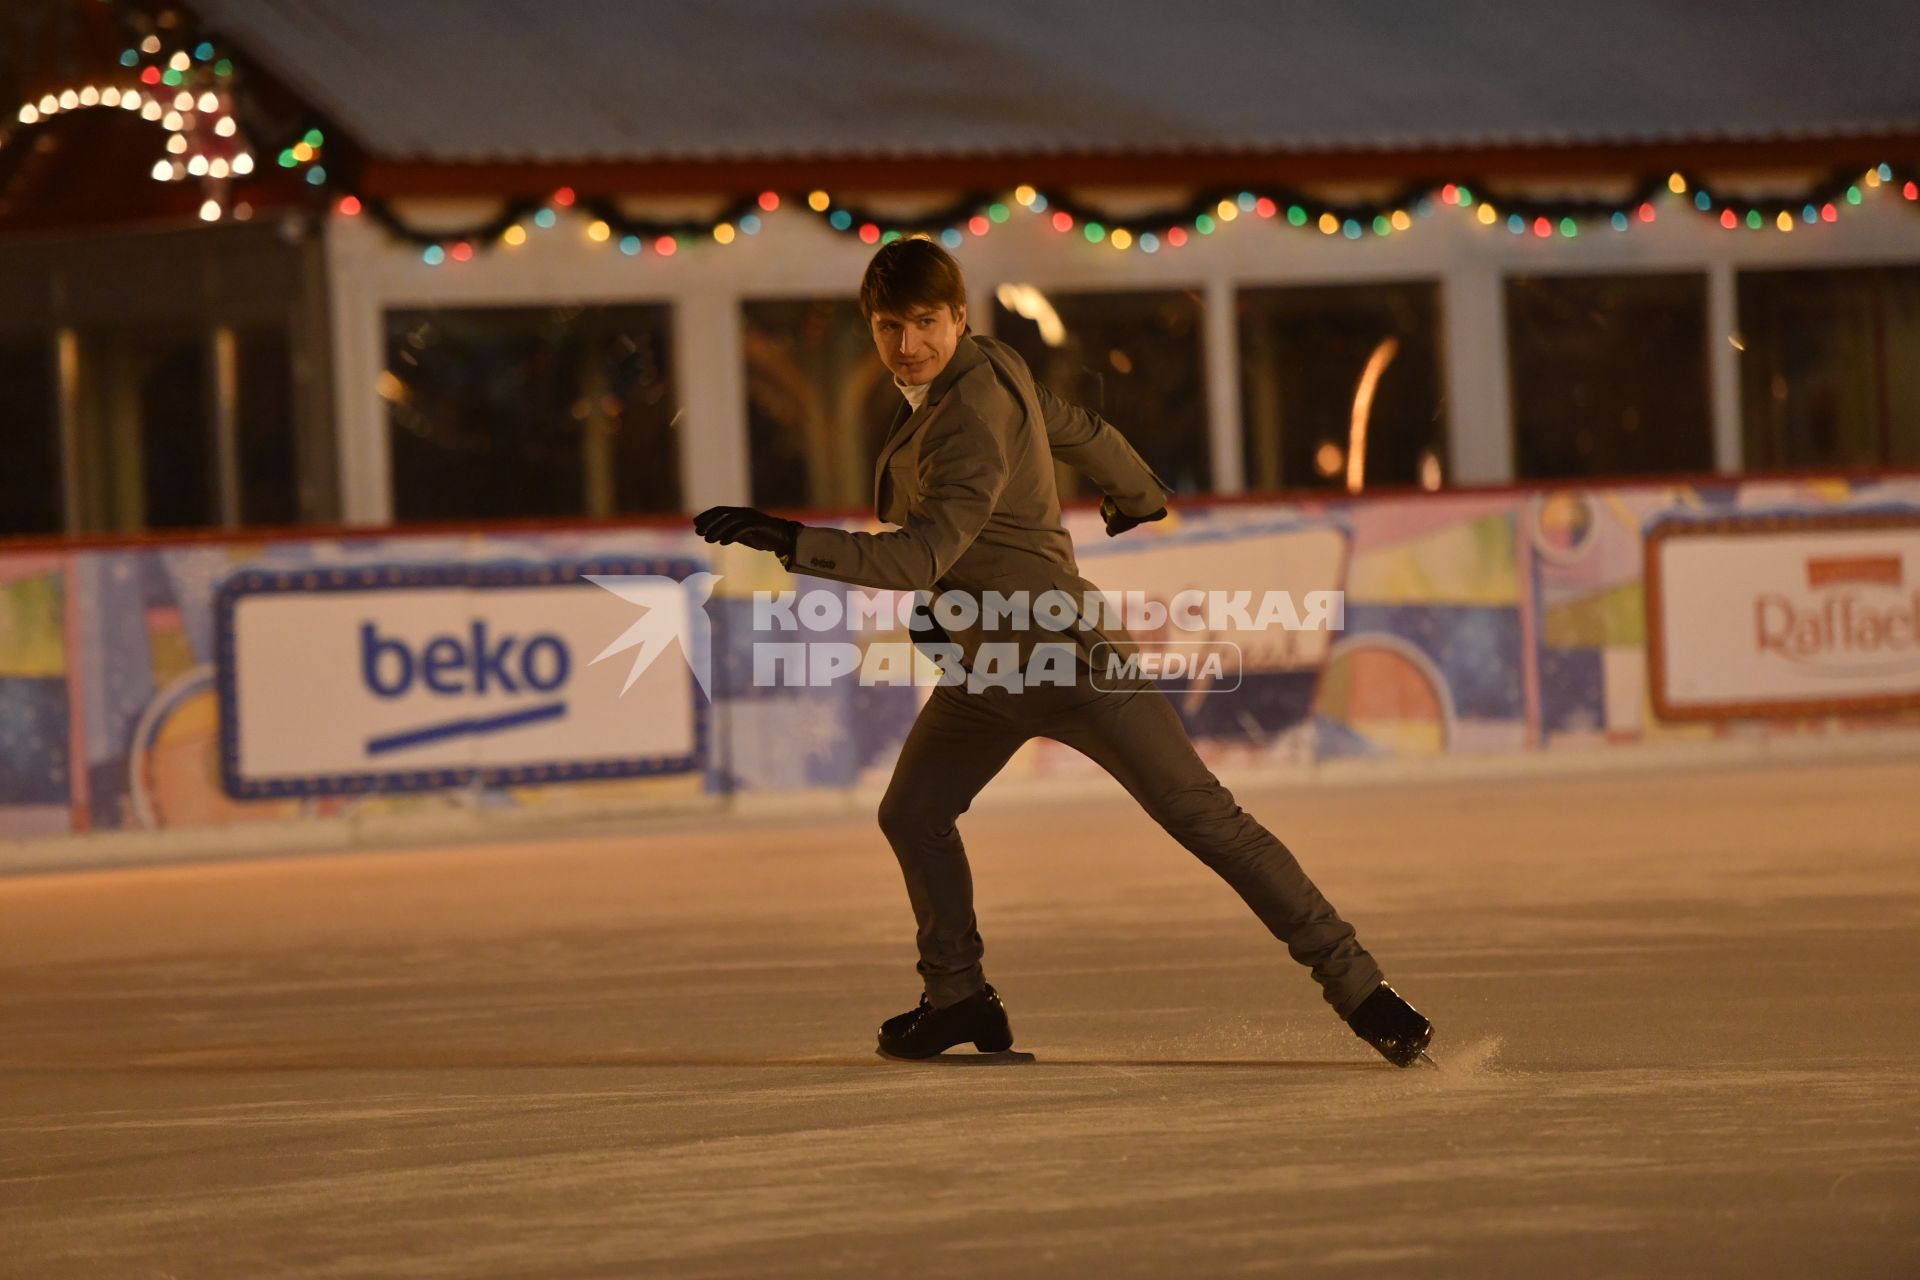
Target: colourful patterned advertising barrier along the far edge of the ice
column 1487, row 632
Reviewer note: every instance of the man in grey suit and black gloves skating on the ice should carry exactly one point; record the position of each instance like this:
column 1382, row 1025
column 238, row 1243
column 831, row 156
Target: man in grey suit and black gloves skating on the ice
column 967, row 473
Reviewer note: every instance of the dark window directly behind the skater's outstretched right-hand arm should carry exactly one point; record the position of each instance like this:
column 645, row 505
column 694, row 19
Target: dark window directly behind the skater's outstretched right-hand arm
column 1136, row 360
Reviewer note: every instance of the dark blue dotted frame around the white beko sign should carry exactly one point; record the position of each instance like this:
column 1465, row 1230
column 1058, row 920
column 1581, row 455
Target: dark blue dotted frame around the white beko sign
column 431, row 577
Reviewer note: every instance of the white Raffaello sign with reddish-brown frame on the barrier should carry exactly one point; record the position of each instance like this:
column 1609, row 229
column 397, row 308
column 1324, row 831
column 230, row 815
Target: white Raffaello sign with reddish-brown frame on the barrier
column 1785, row 615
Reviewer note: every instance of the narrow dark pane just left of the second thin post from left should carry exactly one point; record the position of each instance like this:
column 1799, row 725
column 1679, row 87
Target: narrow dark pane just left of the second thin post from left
column 178, row 463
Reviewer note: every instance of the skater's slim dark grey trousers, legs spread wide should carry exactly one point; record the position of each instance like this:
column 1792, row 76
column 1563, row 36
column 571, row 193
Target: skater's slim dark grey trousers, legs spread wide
column 963, row 740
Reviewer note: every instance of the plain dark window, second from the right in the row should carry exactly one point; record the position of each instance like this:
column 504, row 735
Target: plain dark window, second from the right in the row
column 1610, row 375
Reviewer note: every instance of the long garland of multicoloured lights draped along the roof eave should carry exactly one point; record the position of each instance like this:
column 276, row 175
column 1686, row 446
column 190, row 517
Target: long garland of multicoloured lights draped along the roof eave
column 1168, row 227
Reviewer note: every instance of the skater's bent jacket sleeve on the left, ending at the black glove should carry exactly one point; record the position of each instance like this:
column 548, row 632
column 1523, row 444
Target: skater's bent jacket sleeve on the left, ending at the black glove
column 963, row 471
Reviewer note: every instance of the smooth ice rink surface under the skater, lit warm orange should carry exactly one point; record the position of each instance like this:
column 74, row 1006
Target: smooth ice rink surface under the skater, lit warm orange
column 1677, row 1024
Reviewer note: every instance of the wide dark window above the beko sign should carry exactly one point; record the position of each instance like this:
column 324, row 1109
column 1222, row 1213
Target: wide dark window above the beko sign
column 531, row 412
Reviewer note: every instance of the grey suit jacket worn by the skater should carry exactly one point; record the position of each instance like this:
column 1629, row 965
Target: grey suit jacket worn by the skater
column 969, row 479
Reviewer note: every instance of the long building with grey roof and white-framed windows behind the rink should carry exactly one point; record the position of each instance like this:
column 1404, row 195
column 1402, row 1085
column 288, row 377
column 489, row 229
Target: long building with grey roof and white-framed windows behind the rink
column 581, row 295
